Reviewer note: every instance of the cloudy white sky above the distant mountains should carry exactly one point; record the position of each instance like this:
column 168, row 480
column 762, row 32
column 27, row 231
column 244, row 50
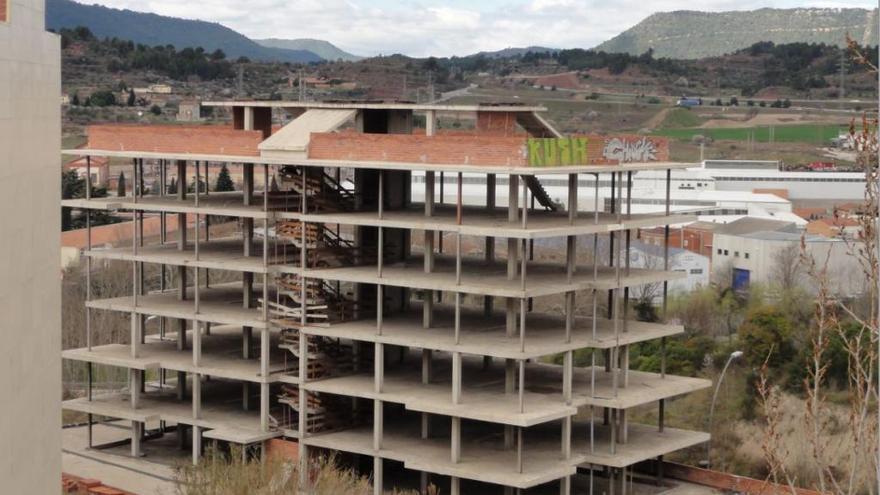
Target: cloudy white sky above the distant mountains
column 454, row 27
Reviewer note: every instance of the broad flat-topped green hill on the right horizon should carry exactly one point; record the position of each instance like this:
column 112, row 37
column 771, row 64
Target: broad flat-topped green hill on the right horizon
column 691, row 34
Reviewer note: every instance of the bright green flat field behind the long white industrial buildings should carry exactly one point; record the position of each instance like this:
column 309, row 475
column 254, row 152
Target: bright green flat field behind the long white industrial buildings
column 816, row 134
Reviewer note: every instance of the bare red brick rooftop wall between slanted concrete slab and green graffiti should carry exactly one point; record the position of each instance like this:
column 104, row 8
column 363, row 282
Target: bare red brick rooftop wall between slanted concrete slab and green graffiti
column 442, row 149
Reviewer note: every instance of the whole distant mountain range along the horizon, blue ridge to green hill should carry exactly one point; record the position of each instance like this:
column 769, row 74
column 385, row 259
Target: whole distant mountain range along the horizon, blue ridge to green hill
column 680, row 34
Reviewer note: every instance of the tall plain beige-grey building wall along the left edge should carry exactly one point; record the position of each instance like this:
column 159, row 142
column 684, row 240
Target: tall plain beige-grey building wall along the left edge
column 30, row 297
